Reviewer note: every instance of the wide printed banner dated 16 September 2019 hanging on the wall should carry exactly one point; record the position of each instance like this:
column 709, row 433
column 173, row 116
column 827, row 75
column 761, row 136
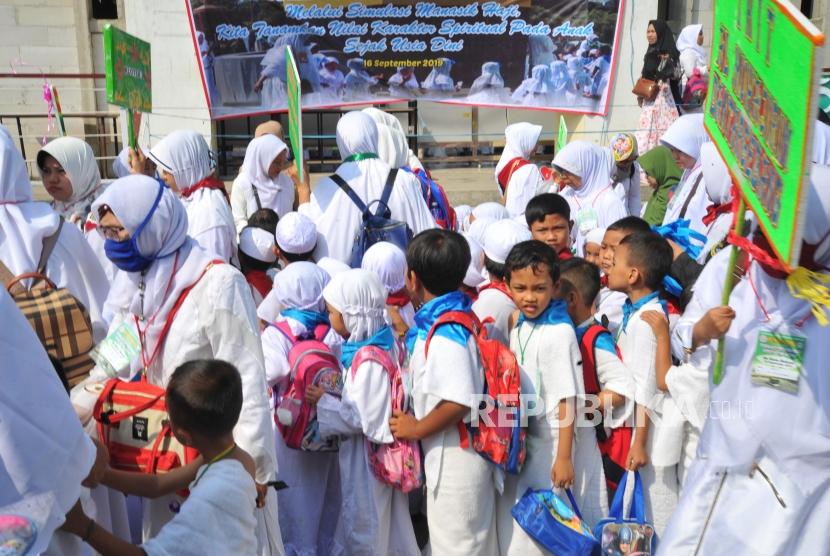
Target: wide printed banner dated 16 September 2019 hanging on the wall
column 556, row 55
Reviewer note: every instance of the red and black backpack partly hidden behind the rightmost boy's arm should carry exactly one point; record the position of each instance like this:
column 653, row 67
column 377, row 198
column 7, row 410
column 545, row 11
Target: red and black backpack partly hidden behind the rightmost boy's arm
column 614, row 447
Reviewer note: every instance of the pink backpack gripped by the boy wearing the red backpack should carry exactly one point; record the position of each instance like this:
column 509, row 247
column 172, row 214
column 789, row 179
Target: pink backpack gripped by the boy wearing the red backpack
column 397, row 464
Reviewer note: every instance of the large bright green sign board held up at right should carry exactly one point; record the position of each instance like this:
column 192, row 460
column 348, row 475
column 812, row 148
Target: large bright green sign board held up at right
column 761, row 108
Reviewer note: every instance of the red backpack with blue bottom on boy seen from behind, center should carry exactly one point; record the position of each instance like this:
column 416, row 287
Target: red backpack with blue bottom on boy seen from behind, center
column 498, row 436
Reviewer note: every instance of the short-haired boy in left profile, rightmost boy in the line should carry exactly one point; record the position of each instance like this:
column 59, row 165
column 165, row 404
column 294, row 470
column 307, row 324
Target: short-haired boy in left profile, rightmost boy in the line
column 640, row 262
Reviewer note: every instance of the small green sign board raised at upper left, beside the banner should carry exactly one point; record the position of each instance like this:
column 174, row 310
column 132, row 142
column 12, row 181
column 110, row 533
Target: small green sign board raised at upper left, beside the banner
column 127, row 63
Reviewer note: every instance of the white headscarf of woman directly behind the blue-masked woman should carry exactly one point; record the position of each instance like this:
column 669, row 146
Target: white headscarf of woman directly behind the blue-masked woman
column 186, row 155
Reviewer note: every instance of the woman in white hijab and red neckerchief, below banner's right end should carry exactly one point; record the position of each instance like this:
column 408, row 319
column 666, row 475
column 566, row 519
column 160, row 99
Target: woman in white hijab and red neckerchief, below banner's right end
column 519, row 180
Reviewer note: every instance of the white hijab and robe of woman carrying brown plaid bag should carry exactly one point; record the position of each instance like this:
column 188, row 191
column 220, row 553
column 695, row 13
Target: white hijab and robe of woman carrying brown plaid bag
column 24, row 224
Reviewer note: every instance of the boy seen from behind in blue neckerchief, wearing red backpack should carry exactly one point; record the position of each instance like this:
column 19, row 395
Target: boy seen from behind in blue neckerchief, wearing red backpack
column 460, row 489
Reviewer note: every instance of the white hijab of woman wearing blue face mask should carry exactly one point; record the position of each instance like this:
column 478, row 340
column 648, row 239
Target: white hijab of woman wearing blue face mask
column 179, row 261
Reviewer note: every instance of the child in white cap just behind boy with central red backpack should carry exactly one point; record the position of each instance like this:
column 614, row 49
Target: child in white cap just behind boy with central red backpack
column 494, row 299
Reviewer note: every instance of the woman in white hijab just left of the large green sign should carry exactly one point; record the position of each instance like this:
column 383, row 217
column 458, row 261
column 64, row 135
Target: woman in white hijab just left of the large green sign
column 685, row 138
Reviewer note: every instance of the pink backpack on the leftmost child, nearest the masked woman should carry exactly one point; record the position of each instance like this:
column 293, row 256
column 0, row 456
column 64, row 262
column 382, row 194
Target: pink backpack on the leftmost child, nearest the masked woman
column 311, row 362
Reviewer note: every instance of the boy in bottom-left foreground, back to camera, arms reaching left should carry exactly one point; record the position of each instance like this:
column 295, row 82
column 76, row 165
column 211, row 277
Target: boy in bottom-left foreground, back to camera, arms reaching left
column 204, row 399
